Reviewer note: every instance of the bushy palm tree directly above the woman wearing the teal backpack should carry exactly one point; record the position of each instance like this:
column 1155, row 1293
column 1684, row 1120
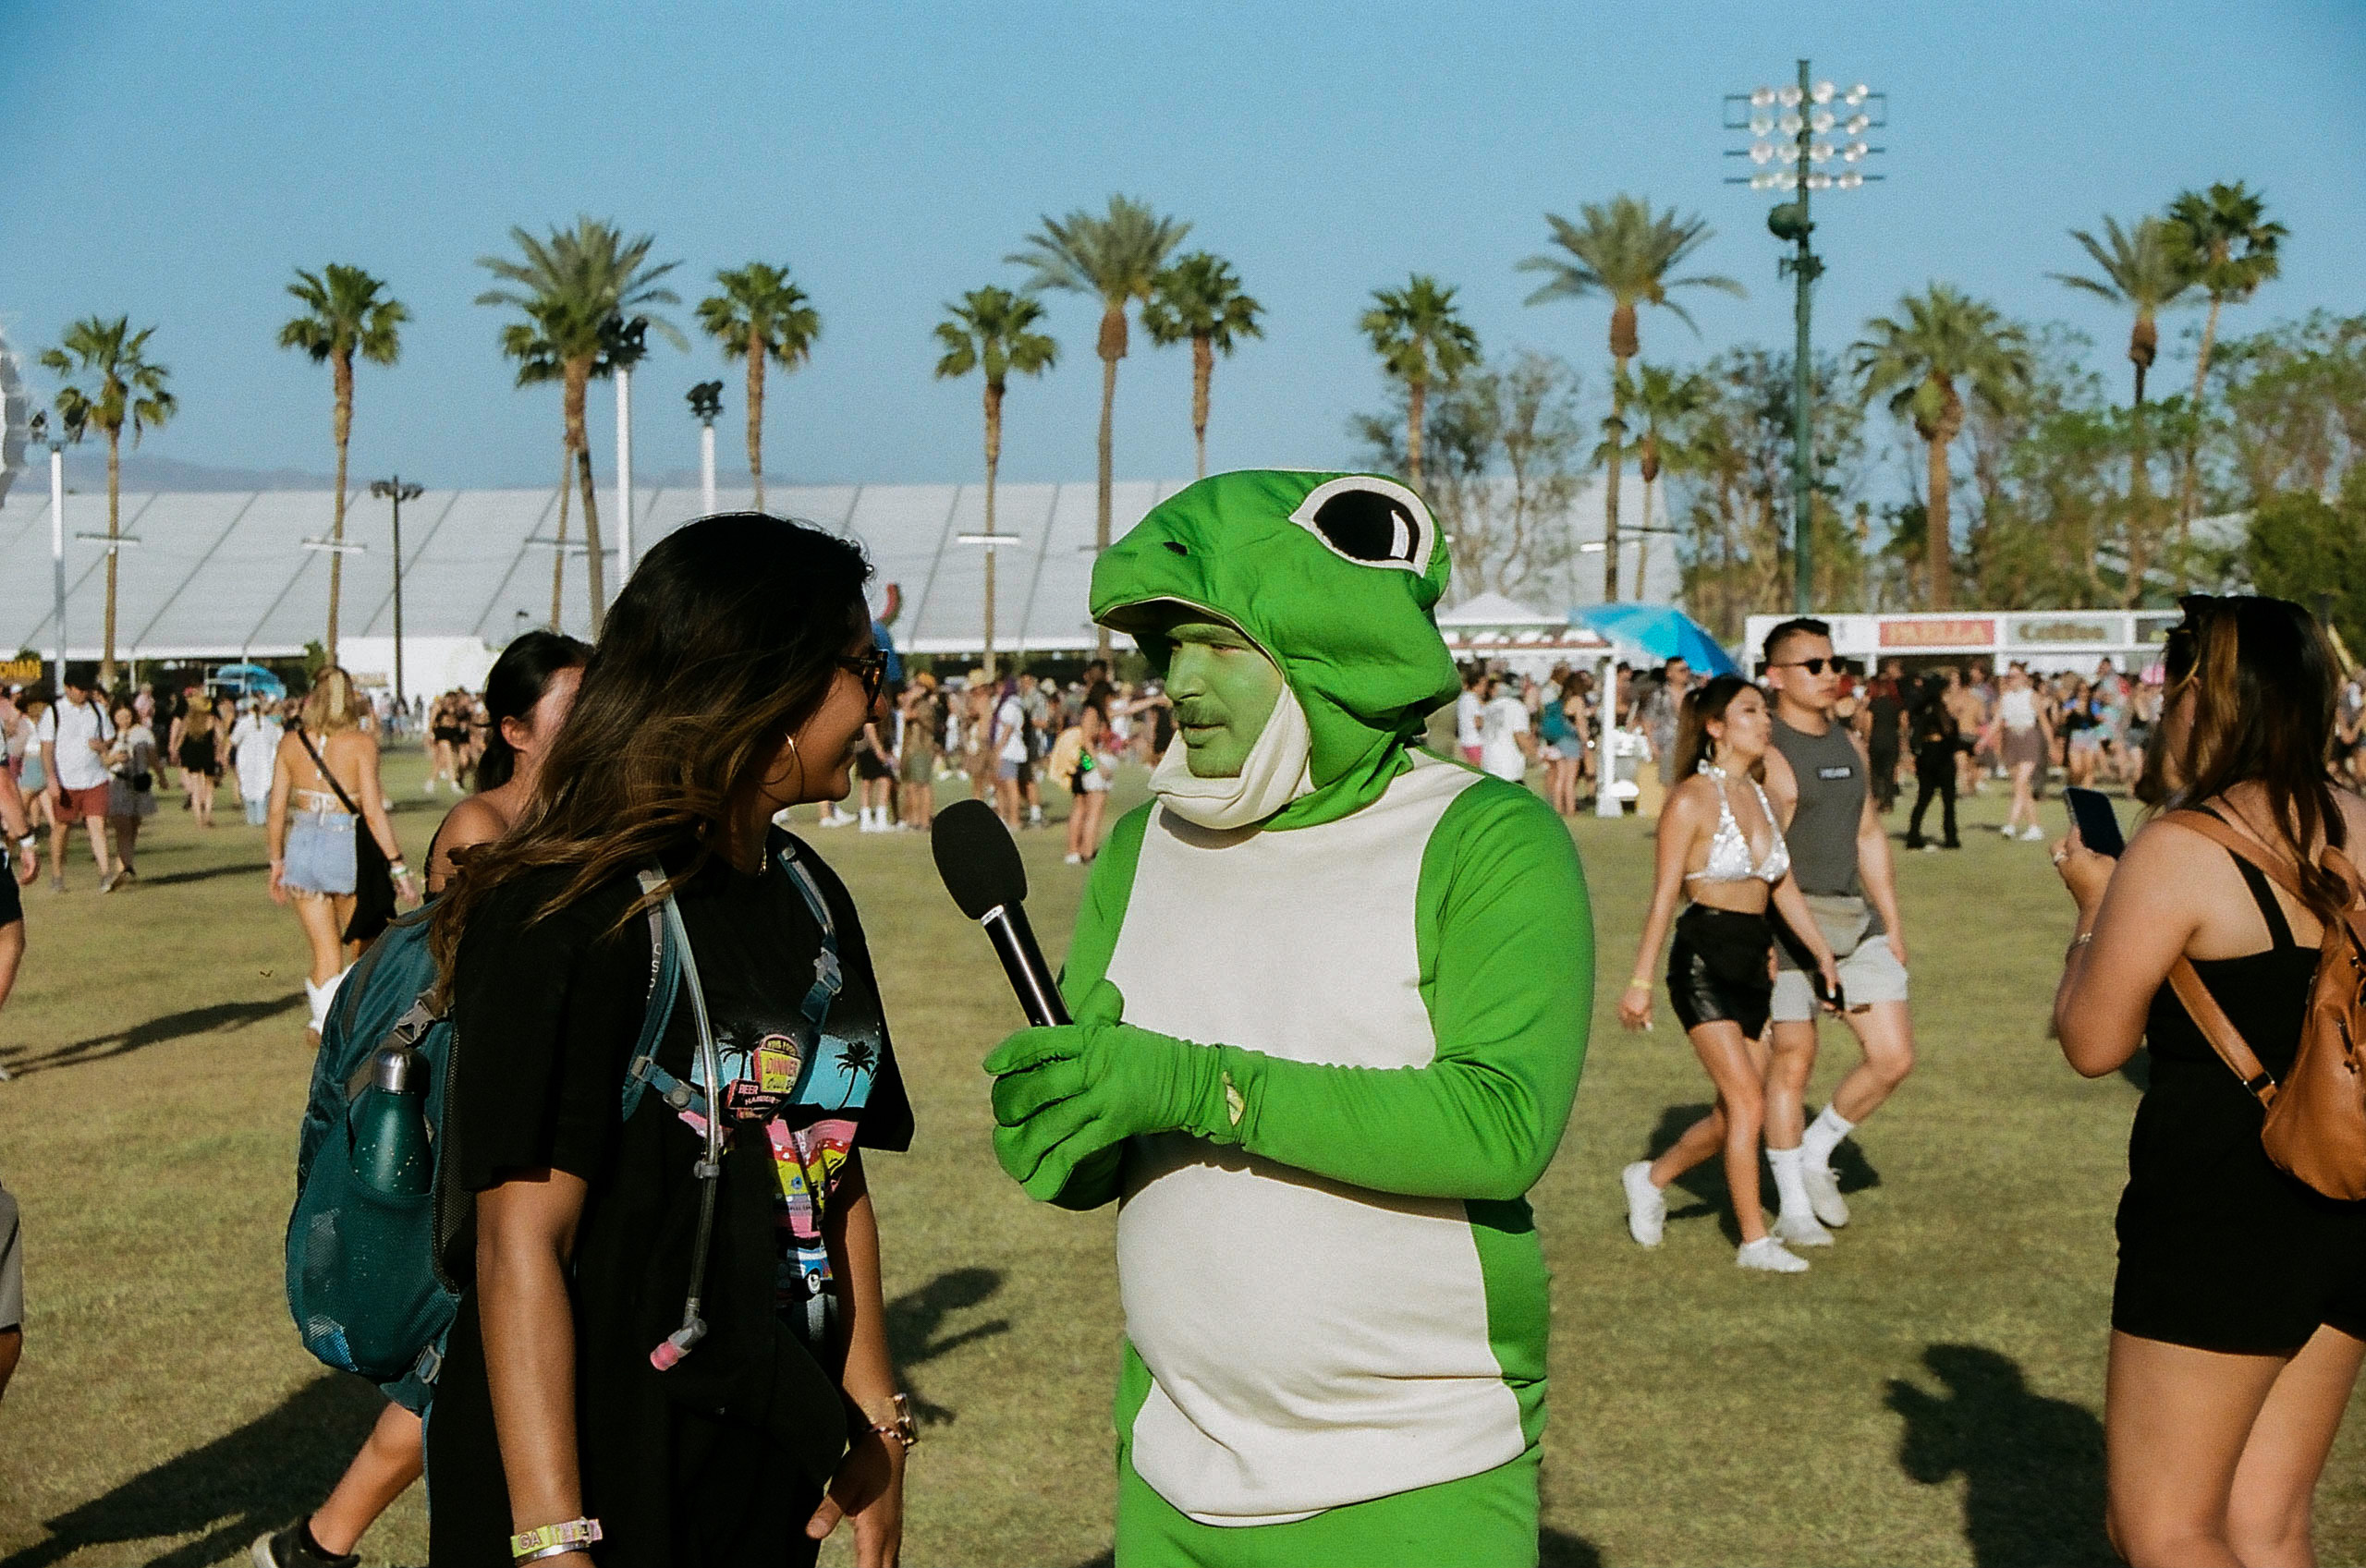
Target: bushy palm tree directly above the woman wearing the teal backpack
column 583, row 294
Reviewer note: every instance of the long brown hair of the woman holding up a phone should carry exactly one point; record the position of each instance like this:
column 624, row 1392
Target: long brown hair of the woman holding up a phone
column 2265, row 694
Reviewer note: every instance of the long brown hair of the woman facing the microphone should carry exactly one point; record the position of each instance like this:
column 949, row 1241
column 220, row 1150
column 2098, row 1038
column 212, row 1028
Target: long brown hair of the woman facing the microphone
column 718, row 649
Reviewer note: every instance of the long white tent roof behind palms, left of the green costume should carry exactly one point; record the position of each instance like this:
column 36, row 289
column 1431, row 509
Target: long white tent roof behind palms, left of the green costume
column 228, row 574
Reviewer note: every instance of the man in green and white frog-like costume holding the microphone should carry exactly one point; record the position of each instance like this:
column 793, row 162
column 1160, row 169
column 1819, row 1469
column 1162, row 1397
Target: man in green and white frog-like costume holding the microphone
column 1331, row 1009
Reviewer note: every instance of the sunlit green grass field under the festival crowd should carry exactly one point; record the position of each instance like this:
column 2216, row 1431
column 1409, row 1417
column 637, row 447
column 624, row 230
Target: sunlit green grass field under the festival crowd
column 1927, row 1397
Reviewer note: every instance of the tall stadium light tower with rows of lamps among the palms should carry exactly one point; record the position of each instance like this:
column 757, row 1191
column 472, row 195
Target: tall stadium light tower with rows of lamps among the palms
column 1797, row 136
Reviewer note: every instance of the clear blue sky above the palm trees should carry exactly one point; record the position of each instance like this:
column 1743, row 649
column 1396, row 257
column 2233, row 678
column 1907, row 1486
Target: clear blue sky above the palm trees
column 176, row 162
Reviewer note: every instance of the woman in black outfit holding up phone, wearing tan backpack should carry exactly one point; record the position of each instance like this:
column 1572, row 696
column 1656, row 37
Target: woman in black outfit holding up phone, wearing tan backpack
column 2239, row 1311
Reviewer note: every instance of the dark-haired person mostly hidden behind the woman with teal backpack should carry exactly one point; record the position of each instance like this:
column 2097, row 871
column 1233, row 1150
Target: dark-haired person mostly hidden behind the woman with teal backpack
column 526, row 694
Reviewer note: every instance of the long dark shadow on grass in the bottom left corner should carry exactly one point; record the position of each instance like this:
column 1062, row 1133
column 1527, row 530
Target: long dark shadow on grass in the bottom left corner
column 231, row 1491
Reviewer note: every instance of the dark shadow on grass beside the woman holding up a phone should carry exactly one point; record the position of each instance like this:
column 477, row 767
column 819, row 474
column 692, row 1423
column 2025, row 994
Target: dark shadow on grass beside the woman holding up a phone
column 2034, row 1467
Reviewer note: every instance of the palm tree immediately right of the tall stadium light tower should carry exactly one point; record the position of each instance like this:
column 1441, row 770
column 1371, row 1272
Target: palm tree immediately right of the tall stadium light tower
column 1939, row 339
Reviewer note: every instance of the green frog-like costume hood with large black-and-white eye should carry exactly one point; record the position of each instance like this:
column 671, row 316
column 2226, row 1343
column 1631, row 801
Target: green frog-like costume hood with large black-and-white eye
column 1336, row 576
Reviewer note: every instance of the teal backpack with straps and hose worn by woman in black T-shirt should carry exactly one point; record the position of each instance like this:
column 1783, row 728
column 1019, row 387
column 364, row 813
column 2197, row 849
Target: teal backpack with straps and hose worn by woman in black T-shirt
column 366, row 1238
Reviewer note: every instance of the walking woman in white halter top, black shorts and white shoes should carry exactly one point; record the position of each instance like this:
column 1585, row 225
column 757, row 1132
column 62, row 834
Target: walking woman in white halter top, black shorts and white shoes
column 1721, row 848
